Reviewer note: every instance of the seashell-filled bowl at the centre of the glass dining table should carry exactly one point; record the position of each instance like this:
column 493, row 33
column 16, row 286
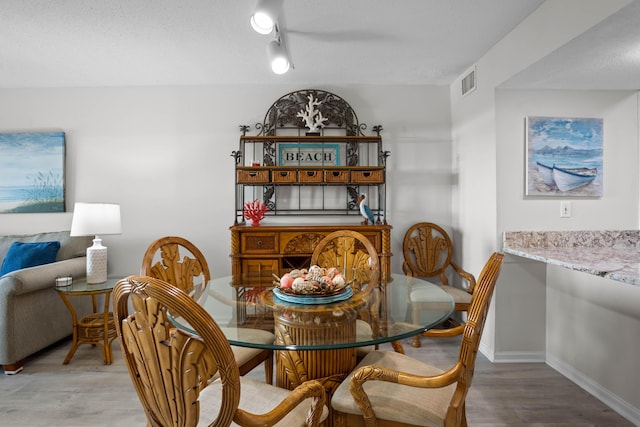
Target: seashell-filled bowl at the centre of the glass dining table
column 313, row 281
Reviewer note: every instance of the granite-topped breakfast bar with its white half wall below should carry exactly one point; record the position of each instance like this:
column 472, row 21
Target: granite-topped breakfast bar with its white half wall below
column 580, row 308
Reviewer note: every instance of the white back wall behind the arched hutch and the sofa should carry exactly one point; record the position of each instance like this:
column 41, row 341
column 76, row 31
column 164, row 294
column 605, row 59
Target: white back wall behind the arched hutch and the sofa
column 163, row 153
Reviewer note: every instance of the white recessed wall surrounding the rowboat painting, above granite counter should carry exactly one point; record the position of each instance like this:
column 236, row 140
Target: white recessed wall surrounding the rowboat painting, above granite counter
column 618, row 109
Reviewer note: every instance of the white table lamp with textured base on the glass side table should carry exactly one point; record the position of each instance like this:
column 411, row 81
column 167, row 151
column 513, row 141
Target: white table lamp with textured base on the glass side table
column 95, row 219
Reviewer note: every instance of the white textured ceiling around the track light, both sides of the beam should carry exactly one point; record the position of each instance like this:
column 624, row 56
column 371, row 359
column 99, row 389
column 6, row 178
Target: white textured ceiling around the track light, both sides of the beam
column 75, row 43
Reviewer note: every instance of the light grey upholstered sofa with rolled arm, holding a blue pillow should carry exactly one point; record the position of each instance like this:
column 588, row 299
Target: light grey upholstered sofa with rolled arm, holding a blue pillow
column 32, row 315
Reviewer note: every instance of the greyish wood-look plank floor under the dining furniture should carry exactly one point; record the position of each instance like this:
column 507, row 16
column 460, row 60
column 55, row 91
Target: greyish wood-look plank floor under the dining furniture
column 88, row 393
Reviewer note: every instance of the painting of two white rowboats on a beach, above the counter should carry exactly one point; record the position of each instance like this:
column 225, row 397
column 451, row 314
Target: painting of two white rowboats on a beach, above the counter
column 564, row 157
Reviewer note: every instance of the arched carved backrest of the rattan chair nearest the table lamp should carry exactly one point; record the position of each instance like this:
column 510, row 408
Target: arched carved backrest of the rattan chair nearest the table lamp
column 177, row 261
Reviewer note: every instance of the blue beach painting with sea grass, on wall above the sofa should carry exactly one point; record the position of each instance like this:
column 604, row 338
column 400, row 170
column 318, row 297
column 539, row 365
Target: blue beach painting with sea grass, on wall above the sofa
column 32, row 177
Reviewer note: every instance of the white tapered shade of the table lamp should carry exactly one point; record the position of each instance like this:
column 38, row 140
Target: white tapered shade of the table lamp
column 92, row 219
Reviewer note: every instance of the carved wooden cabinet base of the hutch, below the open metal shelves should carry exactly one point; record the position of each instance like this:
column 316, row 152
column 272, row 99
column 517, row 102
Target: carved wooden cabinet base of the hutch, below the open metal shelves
column 265, row 249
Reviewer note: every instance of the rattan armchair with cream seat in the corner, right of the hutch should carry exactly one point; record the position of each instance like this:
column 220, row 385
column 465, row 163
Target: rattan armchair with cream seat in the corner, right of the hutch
column 428, row 253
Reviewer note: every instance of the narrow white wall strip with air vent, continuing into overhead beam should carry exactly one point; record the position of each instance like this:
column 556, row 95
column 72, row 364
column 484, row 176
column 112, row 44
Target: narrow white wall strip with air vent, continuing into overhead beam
column 475, row 205
